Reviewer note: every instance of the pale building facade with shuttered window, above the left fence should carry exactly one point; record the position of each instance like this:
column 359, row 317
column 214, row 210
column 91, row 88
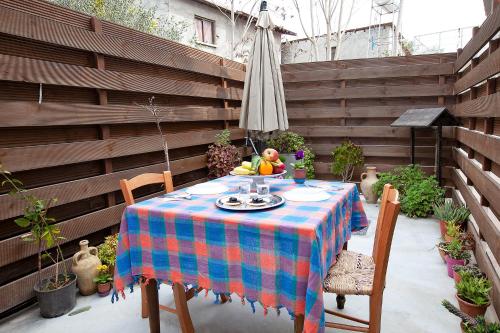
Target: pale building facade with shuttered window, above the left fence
column 209, row 28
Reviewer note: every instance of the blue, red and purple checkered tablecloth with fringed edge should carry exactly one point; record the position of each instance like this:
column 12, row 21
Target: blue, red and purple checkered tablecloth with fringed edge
column 277, row 257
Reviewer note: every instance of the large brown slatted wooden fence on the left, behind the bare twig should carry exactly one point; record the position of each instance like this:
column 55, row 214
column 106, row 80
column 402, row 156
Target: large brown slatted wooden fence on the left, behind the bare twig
column 71, row 126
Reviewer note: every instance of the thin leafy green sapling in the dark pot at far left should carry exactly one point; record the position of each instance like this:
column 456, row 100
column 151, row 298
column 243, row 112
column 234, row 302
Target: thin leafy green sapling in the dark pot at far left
column 42, row 231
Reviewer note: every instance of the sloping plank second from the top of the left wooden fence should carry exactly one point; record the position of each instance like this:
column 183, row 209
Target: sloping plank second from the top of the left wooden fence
column 40, row 29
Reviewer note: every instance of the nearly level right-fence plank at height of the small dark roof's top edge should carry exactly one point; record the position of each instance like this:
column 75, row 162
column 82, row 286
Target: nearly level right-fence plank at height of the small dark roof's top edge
column 486, row 106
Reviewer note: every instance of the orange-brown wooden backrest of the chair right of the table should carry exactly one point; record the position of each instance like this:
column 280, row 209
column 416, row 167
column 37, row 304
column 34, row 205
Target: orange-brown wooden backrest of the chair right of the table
column 385, row 230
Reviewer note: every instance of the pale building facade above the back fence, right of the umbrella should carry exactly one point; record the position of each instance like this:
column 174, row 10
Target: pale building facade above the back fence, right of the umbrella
column 365, row 42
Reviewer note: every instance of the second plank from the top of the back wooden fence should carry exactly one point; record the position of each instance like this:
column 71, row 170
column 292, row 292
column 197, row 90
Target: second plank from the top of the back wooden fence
column 368, row 72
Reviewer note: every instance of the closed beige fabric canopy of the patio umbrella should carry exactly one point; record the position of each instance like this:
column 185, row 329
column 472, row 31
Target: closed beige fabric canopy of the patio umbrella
column 263, row 105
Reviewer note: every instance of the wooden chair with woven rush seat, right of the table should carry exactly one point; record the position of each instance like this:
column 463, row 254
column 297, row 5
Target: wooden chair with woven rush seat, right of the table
column 358, row 274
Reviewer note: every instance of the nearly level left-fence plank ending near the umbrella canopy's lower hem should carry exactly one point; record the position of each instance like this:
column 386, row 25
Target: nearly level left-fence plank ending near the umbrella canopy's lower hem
column 21, row 113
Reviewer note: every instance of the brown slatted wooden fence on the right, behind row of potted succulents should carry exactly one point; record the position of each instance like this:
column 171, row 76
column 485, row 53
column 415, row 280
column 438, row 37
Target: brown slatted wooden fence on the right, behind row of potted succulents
column 477, row 154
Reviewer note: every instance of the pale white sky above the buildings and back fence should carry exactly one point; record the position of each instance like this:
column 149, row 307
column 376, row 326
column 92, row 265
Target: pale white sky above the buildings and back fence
column 418, row 16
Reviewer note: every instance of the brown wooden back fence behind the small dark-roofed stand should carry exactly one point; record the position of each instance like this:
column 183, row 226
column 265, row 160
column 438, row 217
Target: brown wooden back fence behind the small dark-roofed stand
column 357, row 100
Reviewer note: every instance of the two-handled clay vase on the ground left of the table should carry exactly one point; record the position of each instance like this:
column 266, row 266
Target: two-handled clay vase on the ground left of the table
column 84, row 265
